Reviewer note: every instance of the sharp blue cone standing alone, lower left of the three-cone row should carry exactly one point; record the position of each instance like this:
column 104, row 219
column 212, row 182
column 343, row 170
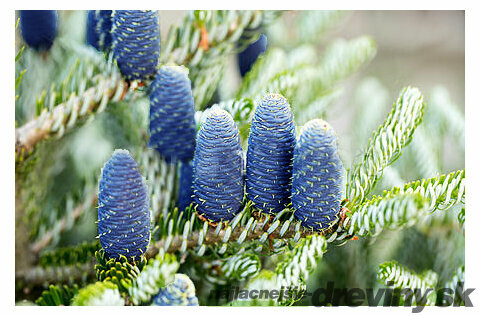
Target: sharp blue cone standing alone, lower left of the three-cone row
column 123, row 208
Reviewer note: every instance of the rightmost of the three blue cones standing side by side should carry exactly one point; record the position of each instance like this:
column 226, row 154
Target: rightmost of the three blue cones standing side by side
column 317, row 176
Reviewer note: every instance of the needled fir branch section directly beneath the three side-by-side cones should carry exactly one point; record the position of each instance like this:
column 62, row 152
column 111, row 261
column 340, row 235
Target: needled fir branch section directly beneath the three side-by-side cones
column 180, row 235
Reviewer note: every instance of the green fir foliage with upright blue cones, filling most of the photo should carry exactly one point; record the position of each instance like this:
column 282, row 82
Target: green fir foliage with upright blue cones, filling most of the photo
column 157, row 247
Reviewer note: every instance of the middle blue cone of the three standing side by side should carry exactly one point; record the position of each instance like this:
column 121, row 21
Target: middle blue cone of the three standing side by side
column 270, row 155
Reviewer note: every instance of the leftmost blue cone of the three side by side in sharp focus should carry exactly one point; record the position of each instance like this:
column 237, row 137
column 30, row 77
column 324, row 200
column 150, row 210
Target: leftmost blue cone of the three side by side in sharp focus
column 218, row 168
